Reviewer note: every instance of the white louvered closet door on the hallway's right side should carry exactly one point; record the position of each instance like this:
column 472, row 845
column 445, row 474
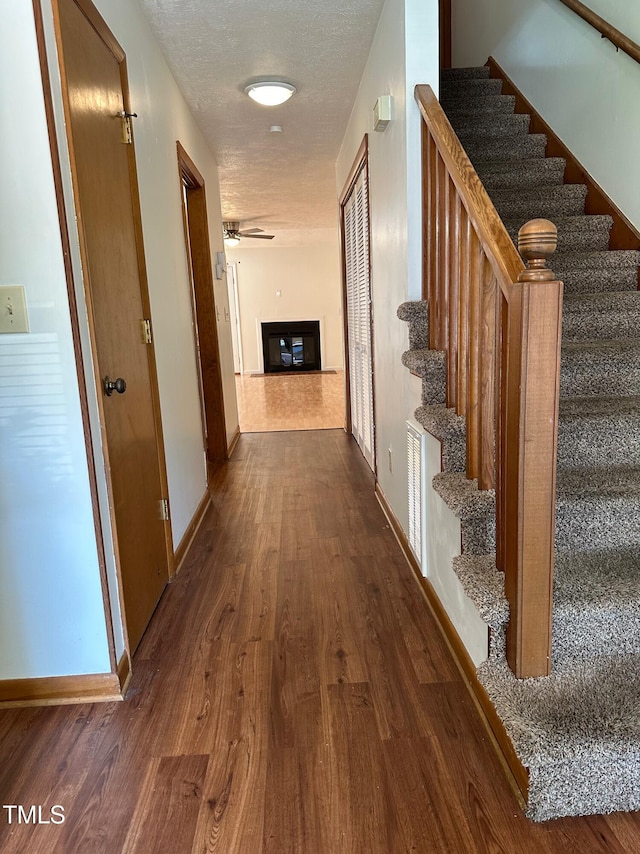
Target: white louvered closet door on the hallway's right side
column 358, row 287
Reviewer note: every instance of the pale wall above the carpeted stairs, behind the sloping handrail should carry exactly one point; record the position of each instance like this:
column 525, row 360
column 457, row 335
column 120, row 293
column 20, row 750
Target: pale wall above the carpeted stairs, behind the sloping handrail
column 581, row 86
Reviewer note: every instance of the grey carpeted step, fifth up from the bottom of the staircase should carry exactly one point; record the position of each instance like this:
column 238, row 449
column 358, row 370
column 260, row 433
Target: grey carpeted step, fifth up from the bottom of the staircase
column 600, row 367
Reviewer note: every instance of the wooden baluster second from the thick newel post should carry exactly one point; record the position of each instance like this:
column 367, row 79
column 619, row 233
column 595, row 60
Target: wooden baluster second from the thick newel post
column 486, row 377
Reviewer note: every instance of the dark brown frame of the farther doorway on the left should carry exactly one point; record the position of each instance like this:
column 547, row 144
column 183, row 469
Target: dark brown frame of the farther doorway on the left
column 203, row 302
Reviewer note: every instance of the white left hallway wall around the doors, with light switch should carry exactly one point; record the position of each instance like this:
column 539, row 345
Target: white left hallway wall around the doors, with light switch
column 52, row 618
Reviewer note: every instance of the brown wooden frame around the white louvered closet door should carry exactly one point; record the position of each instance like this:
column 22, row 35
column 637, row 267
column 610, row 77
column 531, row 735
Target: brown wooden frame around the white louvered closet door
column 361, row 163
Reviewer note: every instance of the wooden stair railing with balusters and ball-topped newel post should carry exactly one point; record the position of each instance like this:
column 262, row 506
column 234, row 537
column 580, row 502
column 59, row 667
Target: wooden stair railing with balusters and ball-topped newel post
column 499, row 324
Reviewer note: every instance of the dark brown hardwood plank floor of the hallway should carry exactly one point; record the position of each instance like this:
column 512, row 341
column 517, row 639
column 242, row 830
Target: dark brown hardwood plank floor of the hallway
column 292, row 694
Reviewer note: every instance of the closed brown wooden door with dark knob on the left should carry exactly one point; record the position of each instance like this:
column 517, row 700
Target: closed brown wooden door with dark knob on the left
column 103, row 167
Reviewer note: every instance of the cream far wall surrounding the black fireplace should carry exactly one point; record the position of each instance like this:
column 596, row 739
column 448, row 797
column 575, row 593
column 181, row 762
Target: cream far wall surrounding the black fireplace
column 308, row 281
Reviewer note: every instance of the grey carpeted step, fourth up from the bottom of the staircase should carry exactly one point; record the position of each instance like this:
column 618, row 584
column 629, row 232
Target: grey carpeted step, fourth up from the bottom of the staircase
column 594, row 431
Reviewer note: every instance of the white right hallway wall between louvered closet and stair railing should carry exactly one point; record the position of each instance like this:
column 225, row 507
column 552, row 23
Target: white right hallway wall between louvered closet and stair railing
column 404, row 52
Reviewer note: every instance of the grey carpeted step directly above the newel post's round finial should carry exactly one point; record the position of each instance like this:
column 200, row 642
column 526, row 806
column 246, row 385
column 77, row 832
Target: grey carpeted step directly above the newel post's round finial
column 564, row 200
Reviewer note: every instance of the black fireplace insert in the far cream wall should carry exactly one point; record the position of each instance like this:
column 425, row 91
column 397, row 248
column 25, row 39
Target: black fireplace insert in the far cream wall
column 291, row 345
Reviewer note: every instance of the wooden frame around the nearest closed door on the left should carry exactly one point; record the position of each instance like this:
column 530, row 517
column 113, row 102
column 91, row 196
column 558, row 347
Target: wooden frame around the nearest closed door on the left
column 73, row 207
